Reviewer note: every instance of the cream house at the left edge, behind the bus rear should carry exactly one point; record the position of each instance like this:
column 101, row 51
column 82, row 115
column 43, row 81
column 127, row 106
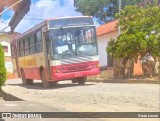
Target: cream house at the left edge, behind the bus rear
column 5, row 39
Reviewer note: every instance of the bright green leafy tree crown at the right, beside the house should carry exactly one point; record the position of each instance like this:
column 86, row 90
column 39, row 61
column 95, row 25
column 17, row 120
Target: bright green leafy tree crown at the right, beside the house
column 140, row 32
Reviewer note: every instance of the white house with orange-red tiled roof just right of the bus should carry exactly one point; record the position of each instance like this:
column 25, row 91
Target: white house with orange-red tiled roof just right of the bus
column 105, row 33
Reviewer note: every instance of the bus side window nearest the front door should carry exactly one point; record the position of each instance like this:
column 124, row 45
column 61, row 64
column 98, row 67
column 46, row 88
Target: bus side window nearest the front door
column 39, row 41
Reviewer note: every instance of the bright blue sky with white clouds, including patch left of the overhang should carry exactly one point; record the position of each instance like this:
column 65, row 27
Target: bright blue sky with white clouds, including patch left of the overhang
column 40, row 10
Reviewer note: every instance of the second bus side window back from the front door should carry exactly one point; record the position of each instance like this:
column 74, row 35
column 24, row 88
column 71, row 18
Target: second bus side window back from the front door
column 32, row 47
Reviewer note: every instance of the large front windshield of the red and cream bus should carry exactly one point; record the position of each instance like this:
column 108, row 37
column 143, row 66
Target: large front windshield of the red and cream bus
column 73, row 42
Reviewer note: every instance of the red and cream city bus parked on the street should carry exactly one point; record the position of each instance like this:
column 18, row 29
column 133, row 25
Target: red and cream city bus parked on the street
column 57, row 49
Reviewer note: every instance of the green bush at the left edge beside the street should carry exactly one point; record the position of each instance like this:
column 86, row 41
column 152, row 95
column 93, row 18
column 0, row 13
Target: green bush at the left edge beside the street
column 2, row 68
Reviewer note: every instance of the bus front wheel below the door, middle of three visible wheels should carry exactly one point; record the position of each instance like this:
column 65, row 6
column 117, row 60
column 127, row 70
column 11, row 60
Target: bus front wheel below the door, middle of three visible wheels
column 45, row 82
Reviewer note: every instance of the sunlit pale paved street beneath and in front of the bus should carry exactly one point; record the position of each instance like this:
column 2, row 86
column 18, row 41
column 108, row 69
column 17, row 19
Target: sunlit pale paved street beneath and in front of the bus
column 96, row 97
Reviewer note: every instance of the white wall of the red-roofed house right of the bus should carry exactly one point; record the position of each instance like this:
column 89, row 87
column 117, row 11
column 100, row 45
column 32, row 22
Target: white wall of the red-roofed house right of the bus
column 102, row 44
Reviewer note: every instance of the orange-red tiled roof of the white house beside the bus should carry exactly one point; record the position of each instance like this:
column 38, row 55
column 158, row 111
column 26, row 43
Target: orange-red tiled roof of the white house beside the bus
column 107, row 28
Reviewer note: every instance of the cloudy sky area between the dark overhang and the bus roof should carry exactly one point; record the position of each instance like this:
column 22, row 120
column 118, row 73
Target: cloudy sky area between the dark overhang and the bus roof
column 46, row 9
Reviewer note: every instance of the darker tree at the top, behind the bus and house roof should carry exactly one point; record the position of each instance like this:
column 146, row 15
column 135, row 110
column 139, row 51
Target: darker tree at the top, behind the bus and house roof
column 103, row 10
